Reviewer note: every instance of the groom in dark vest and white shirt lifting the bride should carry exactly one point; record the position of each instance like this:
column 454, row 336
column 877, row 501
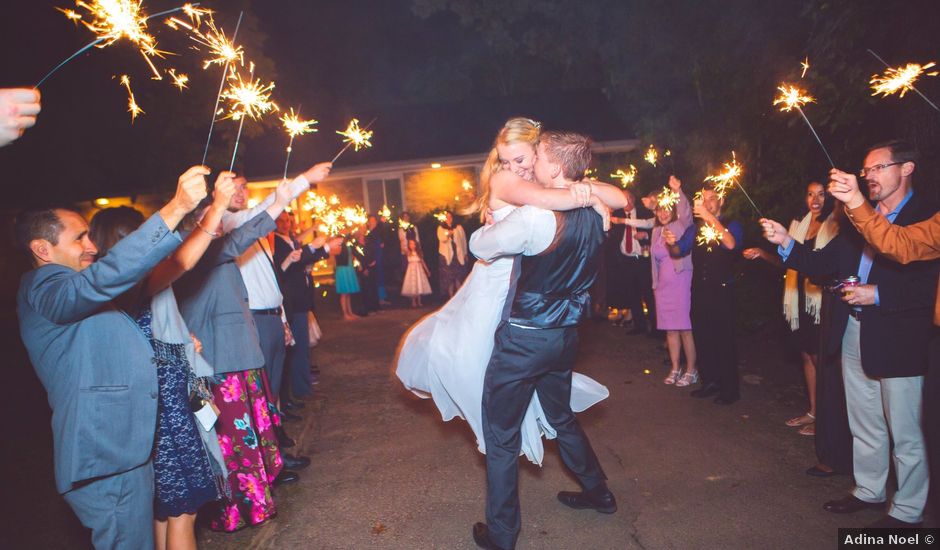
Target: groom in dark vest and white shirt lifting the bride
column 536, row 343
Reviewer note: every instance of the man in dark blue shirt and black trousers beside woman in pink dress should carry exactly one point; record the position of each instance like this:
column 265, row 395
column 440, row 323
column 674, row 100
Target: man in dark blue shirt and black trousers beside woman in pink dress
column 713, row 300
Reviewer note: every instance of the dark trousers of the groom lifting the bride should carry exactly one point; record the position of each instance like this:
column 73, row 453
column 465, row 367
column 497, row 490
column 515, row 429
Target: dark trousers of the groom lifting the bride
column 523, row 361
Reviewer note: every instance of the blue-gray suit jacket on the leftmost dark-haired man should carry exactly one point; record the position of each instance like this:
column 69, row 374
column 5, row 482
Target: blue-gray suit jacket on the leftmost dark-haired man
column 95, row 363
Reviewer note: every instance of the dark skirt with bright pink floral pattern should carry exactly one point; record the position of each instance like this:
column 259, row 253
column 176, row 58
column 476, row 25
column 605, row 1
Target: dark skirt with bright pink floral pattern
column 249, row 447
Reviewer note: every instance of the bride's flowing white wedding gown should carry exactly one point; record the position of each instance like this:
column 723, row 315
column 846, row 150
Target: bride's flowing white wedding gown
column 444, row 356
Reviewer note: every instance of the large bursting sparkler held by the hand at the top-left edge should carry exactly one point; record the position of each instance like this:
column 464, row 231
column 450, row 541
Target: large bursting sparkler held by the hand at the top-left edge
column 113, row 20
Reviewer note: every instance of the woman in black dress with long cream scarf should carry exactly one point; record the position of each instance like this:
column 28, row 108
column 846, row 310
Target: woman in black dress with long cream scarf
column 802, row 298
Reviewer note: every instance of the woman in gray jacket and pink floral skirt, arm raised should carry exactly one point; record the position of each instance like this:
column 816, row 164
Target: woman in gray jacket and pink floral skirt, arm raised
column 214, row 303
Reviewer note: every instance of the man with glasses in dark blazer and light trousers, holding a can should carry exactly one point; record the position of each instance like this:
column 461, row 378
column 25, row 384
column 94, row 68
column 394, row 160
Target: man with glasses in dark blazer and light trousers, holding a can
column 885, row 319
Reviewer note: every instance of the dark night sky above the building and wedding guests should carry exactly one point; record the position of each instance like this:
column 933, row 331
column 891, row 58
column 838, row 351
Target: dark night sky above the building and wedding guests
column 700, row 73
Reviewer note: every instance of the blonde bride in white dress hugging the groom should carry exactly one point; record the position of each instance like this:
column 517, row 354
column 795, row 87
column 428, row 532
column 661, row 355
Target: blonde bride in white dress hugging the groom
column 444, row 356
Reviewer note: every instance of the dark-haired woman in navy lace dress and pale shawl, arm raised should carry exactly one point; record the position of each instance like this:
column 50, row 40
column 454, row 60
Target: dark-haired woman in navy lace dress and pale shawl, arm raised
column 187, row 460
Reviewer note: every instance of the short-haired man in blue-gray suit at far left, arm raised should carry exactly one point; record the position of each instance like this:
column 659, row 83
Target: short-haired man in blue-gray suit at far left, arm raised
column 96, row 365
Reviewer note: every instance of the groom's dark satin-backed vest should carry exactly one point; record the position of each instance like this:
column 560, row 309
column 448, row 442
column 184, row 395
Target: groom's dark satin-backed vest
column 552, row 289
